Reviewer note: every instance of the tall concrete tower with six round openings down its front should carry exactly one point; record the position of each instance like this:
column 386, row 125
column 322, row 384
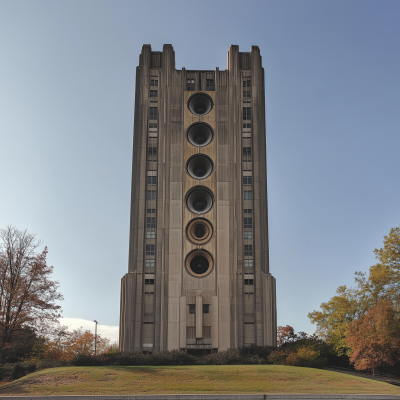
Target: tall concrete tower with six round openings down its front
column 198, row 275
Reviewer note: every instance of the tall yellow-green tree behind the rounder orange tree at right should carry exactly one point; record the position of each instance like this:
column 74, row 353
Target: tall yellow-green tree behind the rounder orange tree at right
column 349, row 304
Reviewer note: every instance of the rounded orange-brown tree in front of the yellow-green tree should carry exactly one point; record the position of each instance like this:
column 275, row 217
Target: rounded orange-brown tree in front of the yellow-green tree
column 374, row 338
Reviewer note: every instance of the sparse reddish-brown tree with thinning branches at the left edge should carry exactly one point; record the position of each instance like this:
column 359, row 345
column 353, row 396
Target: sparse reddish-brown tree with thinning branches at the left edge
column 28, row 296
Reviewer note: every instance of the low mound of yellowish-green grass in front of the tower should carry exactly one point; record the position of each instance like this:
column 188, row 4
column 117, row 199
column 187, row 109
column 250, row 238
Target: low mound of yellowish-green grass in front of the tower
column 116, row 380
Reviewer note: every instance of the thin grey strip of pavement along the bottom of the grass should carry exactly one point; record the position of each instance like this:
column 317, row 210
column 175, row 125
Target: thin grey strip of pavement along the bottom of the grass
column 215, row 397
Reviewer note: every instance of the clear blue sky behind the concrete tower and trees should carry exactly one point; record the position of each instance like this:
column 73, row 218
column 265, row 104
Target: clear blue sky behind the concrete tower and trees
column 67, row 84
